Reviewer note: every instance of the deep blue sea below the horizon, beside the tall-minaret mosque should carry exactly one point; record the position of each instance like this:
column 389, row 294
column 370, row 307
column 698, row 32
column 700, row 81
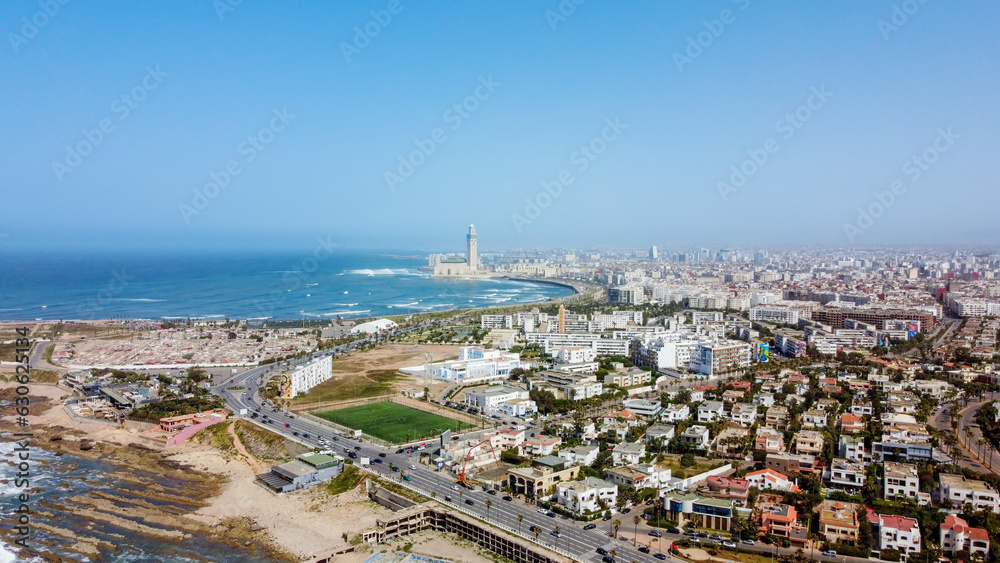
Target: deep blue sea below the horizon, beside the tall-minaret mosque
column 241, row 285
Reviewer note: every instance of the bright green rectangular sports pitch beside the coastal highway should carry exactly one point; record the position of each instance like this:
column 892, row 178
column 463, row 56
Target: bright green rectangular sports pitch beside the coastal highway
column 392, row 422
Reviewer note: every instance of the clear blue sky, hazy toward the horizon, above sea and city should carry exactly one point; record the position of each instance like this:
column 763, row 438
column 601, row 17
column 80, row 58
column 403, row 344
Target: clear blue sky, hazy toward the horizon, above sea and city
column 213, row 81
